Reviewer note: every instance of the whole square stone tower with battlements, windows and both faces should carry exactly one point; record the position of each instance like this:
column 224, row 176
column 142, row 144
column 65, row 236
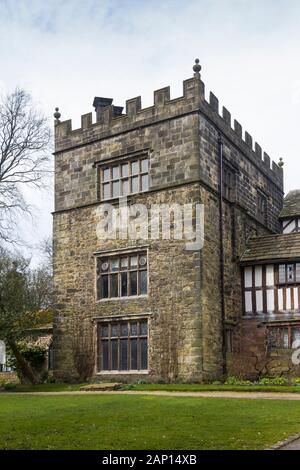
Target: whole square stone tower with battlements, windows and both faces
column 130, row 309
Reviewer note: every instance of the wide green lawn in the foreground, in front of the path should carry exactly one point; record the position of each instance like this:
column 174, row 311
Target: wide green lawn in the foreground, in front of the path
column 143, row 422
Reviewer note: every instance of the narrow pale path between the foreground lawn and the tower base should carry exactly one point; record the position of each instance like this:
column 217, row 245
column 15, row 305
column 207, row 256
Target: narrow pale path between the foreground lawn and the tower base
column 246, row 395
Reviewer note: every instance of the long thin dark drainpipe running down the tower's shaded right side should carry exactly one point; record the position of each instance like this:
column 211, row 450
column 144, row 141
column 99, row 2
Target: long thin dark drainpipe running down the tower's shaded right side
column 222, row 282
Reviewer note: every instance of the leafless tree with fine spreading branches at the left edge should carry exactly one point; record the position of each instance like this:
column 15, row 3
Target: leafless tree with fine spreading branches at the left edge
column 24, row 155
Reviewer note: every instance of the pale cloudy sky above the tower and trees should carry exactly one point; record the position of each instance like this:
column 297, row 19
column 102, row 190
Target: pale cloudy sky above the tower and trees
column 64, row 52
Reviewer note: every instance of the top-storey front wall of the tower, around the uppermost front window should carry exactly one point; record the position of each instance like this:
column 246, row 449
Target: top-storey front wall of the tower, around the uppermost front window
column 173, row 157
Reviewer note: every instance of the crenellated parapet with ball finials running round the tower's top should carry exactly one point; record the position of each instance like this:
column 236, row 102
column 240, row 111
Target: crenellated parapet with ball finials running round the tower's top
column 110, row 121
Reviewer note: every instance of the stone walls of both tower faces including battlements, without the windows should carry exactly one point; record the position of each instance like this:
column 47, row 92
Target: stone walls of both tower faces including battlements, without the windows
column 184, row 299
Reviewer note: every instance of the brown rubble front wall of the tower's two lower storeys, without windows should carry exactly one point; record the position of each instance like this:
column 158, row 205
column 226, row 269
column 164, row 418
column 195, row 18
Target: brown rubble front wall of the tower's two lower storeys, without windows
column 172, row 304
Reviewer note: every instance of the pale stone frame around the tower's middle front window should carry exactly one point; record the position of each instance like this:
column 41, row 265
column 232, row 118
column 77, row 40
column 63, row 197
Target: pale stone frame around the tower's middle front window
column 120, row 252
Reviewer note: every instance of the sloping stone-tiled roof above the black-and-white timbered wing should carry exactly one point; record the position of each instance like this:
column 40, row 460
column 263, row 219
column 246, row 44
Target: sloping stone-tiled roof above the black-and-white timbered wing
column 272, row 248
